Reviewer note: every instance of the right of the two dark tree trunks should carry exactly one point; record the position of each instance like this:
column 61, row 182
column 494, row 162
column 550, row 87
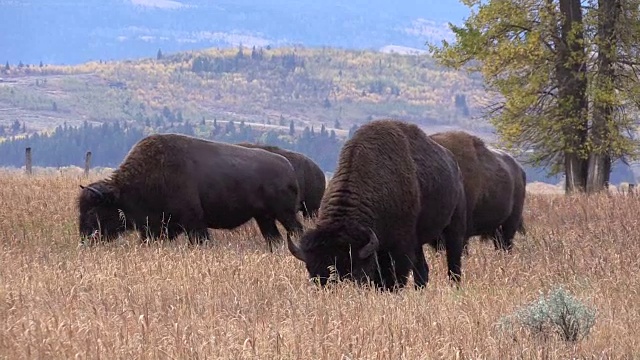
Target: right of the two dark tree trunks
column 608, row 14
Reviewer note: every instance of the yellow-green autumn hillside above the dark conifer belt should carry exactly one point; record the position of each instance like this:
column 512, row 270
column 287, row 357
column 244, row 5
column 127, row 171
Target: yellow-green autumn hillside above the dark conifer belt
column 263, row 86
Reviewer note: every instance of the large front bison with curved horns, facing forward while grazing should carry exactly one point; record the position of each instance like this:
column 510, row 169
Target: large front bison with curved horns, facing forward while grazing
column 389, row 194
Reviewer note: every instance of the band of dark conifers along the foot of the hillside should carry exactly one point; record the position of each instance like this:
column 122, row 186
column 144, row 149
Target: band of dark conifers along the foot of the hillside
column 110, row 142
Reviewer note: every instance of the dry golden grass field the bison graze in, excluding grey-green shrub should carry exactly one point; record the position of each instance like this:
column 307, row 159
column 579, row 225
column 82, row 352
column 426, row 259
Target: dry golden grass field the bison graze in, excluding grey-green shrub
column 235, row 300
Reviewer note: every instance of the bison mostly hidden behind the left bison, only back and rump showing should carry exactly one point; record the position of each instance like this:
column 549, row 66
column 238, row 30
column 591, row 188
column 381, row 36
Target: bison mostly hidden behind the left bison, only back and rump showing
column 311, row 179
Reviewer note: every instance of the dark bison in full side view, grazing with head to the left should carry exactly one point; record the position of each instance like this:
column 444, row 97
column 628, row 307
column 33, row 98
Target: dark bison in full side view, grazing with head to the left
column 172, row 184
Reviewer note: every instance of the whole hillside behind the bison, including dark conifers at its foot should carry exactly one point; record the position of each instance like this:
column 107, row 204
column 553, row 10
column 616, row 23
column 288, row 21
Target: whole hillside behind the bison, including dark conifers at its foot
column 302, row 99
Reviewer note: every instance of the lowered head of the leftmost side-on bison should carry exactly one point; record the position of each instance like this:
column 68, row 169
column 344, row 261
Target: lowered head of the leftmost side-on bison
column 98, row 212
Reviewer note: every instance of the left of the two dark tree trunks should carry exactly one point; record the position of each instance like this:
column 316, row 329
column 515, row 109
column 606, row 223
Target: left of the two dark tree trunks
column 572, row 100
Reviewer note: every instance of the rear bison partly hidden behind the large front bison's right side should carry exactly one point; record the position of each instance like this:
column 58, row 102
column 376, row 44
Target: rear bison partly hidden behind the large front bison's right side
column 494, row 185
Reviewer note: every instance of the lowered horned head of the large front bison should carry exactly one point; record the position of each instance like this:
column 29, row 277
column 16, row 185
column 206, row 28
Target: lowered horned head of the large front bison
column 337, row 254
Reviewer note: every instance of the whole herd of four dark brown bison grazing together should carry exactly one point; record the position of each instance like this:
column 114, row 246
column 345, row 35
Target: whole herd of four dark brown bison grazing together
column 394, row 190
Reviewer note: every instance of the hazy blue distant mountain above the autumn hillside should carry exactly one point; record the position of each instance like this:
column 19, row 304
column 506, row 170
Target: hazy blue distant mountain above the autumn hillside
column 75, row 31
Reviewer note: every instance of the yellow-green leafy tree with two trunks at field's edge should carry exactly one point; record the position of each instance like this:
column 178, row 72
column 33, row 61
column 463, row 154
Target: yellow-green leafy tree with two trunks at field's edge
column 557, row 98
